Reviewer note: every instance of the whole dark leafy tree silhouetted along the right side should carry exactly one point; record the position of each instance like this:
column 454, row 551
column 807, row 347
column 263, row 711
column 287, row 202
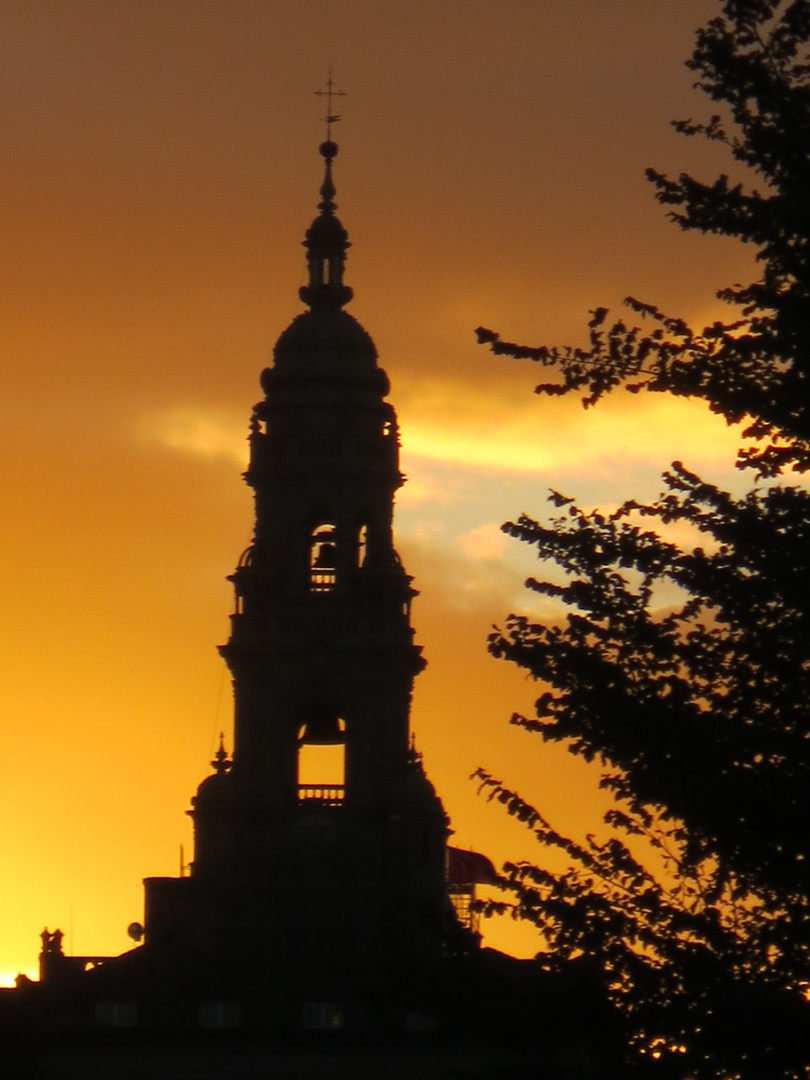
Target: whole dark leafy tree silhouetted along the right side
column 686, row 672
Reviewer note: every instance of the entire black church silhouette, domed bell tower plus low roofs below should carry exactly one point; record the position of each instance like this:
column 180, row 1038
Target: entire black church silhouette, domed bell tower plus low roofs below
column 315, row 900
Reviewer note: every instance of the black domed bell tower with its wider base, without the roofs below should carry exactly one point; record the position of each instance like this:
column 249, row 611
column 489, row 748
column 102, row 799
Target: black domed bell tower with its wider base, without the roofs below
column 312, row 876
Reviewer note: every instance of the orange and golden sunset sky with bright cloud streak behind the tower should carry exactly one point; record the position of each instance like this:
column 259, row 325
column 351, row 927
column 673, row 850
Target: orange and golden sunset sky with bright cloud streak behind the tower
column 158, row 170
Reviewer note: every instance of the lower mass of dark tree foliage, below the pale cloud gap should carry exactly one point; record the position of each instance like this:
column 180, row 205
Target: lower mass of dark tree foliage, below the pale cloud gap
column 700, row 712
